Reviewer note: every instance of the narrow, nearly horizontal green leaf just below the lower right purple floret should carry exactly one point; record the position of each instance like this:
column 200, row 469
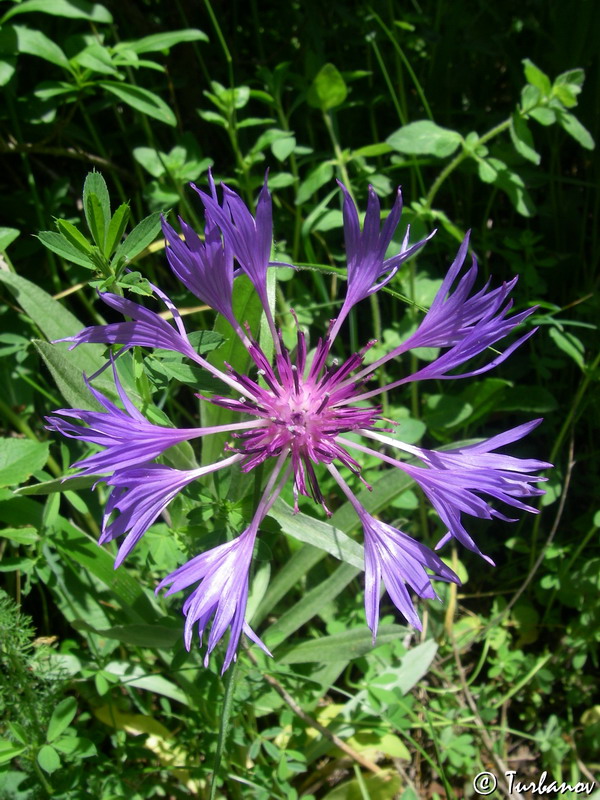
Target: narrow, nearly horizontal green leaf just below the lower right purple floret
column 341, row 646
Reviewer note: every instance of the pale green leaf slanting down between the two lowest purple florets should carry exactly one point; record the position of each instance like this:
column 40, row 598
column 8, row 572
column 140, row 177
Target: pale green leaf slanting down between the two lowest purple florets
column 319, row 534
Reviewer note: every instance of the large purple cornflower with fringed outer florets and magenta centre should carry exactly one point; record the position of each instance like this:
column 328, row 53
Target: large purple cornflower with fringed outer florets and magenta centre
column 296, row 410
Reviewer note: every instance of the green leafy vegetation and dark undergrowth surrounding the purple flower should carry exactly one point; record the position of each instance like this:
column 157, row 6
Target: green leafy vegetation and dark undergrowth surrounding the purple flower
column 98, row 697
